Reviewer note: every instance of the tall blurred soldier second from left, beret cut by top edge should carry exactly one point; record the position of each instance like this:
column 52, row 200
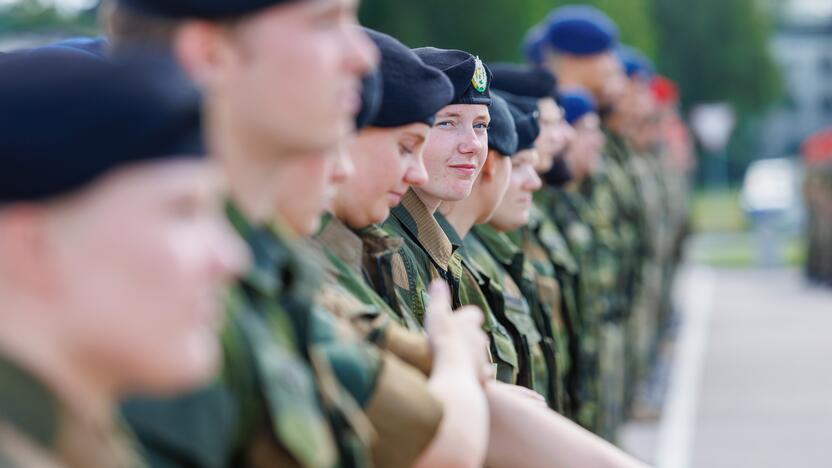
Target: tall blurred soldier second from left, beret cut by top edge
column 278, row 401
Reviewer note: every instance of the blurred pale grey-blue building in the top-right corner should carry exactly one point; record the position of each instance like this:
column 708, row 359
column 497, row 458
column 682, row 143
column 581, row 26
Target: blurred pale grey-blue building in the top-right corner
column 802, row 45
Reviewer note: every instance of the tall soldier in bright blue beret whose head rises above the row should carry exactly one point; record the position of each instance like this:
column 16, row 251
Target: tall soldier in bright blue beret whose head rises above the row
column 579, row 47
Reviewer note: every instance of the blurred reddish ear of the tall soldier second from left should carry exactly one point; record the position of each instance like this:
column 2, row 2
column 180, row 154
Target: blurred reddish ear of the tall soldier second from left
column 201, row 47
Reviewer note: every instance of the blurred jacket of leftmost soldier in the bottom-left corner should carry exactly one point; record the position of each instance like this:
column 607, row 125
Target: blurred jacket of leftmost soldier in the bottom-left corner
column 38, row 430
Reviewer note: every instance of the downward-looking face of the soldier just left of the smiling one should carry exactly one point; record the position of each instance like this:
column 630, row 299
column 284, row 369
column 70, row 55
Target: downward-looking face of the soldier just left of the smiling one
column 387, row 162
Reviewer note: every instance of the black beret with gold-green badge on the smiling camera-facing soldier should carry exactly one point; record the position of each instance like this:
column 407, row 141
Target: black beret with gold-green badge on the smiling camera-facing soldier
column 470, row 77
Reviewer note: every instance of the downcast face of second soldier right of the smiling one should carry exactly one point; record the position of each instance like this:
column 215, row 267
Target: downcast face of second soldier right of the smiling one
column 513, row 212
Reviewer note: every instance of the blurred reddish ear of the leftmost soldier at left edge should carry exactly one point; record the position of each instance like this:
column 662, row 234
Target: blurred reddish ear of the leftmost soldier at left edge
column 24, row 249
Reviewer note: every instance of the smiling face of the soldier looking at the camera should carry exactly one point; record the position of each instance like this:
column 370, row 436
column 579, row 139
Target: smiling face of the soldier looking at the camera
column 456, row 151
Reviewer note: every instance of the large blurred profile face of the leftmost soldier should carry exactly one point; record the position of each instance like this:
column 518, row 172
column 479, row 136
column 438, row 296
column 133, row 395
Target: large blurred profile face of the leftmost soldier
column 139, row 268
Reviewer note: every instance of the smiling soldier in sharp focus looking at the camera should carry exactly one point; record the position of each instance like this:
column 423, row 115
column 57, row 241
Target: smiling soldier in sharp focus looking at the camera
column 427, row 252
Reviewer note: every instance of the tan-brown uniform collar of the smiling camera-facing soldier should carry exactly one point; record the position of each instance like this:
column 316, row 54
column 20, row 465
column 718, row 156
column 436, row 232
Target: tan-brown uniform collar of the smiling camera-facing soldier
column 415, row 217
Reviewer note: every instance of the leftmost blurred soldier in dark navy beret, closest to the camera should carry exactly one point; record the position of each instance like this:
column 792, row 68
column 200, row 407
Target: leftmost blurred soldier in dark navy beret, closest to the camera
column 100, row 298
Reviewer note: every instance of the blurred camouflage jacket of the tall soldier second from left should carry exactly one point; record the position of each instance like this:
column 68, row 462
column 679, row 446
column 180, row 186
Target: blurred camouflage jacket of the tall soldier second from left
column 278, row 402
